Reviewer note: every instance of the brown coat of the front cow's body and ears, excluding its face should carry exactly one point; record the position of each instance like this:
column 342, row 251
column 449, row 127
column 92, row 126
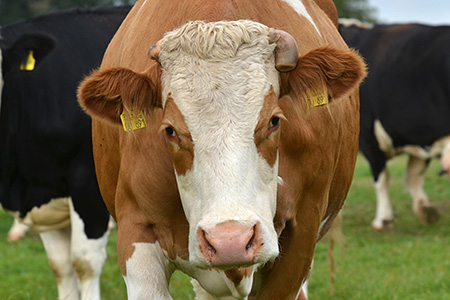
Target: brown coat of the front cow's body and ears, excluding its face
column 317, row 149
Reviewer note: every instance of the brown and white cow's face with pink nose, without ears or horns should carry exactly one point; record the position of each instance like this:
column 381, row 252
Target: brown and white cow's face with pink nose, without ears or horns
column 221, row 123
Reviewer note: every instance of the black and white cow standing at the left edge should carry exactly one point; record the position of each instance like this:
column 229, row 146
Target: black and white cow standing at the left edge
column 47, row 174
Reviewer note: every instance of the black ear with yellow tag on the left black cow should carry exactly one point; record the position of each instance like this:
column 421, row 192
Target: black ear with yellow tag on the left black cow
column 35, row 46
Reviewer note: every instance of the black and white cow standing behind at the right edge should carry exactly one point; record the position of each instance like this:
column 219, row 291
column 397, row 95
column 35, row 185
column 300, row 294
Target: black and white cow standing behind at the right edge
column 405, row 107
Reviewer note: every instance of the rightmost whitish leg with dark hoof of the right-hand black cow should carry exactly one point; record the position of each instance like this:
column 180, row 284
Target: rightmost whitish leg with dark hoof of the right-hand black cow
column 414, row 181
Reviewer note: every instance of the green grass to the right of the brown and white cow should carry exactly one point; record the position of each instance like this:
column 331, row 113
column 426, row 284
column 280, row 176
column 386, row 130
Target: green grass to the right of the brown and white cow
column 411, row 261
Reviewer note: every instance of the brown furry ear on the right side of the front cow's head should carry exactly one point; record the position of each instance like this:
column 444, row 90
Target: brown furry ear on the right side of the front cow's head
column 336, row 72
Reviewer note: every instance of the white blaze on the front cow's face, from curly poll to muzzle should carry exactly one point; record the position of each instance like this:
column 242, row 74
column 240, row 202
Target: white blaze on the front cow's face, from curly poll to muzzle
column 219, row 86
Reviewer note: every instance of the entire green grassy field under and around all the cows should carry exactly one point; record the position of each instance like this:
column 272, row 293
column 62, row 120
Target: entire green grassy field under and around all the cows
column 411, row 261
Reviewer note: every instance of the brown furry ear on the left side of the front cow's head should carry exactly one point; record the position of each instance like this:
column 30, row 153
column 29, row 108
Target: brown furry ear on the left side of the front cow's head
column 105, row 94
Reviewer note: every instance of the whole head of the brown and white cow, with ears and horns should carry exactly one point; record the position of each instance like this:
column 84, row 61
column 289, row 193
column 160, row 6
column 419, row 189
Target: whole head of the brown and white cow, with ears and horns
column 219, row 89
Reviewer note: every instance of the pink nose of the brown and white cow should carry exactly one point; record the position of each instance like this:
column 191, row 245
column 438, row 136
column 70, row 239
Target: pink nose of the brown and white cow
column 230, row 244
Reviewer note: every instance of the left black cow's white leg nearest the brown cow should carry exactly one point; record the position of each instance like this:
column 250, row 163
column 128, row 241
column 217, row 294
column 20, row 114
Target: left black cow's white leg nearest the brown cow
column 87, row 257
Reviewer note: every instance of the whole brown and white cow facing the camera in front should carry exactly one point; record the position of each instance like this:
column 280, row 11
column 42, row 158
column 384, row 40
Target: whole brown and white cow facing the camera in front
column 237, row 170
